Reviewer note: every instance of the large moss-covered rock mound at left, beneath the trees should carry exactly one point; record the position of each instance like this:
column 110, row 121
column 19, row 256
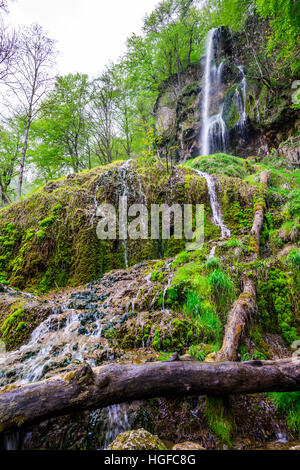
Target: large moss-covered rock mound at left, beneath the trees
column 49, row 240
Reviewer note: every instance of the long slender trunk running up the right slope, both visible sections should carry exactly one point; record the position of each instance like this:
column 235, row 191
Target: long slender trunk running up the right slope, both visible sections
column 245, row 308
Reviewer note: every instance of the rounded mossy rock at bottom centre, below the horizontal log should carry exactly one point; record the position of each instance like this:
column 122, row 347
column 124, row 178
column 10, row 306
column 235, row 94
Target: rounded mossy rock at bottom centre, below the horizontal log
column 137, row 440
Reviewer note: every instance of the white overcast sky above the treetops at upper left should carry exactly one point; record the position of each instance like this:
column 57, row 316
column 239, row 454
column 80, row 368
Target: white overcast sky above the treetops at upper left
column 89, row 33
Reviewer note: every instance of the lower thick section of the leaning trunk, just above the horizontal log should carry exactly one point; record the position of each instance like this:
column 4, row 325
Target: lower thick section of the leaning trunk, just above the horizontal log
column 243, row 310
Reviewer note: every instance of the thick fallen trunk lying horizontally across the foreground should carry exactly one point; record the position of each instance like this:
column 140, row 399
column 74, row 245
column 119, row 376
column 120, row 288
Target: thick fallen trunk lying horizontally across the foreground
column 116, row 383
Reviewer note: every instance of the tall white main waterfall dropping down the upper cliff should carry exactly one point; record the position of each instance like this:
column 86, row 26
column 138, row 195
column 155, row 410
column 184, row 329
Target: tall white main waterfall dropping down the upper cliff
column 214, row 135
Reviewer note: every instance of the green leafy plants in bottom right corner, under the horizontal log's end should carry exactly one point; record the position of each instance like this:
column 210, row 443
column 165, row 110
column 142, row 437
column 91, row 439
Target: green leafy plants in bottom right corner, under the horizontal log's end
column 289, row 404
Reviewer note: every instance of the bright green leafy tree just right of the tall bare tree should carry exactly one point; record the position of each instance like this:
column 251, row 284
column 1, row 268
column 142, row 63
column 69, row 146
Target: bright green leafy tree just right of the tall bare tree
column 63, row 114
